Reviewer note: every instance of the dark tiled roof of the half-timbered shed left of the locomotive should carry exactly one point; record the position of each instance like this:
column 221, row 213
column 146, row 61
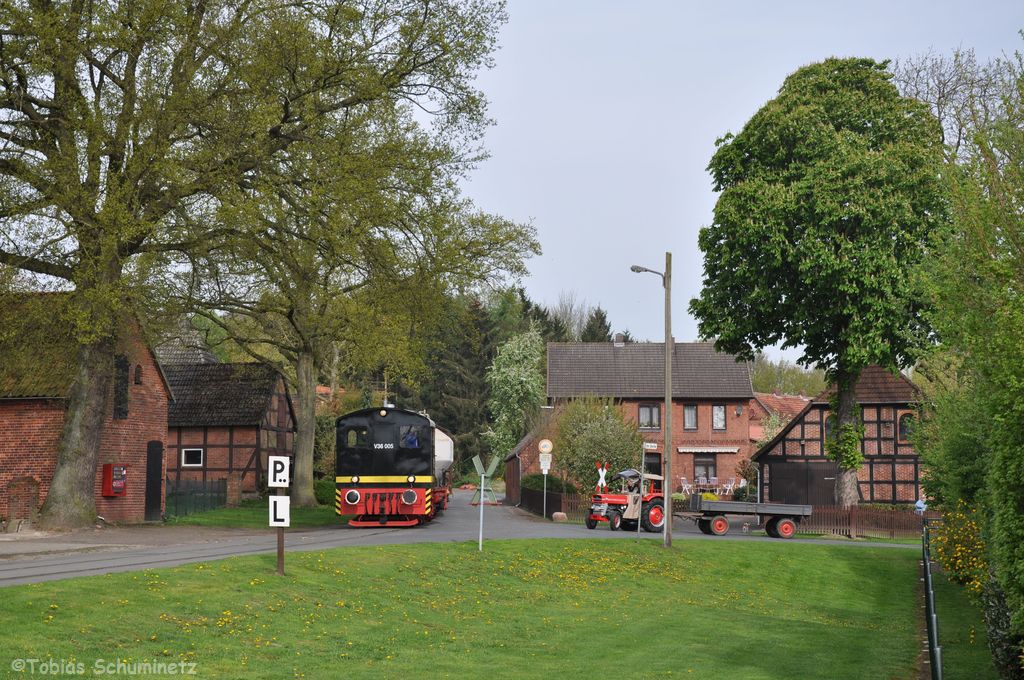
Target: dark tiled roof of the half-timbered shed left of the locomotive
column 220, row 395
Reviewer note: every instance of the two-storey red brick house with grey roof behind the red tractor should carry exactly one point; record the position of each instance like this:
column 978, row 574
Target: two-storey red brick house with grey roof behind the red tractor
column 711, row 394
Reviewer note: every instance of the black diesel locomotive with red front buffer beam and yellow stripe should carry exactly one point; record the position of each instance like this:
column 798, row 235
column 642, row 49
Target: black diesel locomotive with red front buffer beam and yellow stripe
column 392, row 467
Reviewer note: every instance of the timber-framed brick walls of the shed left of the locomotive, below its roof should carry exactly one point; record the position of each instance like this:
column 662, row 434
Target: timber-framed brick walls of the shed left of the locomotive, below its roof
column 235, row 449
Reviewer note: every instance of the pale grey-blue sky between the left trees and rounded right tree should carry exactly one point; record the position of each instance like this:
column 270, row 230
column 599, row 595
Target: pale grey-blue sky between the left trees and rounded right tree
column 607, row 115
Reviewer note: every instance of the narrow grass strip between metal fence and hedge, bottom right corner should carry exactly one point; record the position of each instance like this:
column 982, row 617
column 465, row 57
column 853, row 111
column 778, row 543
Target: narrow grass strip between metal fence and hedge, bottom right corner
column 962, row 634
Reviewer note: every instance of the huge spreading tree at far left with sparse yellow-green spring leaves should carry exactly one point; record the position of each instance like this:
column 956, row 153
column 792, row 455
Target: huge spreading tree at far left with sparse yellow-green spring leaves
column 125, row 124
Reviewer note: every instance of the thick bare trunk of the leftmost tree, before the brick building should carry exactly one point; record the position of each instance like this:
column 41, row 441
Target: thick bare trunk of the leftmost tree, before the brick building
column 71, row 502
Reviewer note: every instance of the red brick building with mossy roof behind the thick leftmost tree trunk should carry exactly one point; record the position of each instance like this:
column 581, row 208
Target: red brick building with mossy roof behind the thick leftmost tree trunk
column 35, row 380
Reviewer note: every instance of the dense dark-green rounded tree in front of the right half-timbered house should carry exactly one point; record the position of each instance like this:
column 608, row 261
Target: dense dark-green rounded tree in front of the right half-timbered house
column 829, row 198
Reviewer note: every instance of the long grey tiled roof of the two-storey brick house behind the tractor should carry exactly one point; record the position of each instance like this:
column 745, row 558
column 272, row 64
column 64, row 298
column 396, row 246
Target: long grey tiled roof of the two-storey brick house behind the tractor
column 636, row 370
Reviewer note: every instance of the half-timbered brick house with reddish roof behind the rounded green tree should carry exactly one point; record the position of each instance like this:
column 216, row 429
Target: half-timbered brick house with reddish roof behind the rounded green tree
column 796, row 470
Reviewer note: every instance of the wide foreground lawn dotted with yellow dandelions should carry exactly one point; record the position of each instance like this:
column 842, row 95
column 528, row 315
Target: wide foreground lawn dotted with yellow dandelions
column 520, row 610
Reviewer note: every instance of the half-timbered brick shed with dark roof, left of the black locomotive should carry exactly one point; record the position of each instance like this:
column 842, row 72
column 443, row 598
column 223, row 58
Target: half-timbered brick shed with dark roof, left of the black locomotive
column 226, row 420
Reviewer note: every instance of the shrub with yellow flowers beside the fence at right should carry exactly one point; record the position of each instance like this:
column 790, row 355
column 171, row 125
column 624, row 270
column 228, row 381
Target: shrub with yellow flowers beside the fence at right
column 957, row 544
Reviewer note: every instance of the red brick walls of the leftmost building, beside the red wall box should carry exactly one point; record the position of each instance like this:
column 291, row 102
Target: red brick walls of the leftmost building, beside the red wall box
column 30, row 431
